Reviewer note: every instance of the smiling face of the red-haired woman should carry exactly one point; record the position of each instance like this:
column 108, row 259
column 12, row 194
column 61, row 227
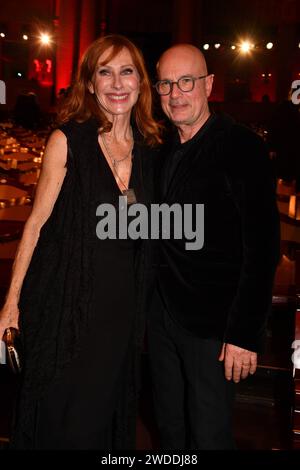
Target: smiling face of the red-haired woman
column 116, row 84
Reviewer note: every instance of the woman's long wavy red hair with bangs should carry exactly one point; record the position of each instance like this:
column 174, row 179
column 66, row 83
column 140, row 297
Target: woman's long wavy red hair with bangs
column 81, row 105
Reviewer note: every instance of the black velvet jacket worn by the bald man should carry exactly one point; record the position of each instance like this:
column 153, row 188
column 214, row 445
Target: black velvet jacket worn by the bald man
column 223, row 290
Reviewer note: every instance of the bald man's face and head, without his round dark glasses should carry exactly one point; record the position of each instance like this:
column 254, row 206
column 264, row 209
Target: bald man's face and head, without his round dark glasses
column 185, row 108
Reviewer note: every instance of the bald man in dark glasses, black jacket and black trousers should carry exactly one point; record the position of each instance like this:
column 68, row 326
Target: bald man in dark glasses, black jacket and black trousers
column 209, row 308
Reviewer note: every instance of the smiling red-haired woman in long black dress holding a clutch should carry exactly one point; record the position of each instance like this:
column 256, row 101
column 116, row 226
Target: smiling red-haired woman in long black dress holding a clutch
column 81, row 319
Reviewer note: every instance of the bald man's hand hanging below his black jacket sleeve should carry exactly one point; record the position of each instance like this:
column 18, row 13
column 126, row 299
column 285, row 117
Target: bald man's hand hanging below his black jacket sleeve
column 238, row 362
